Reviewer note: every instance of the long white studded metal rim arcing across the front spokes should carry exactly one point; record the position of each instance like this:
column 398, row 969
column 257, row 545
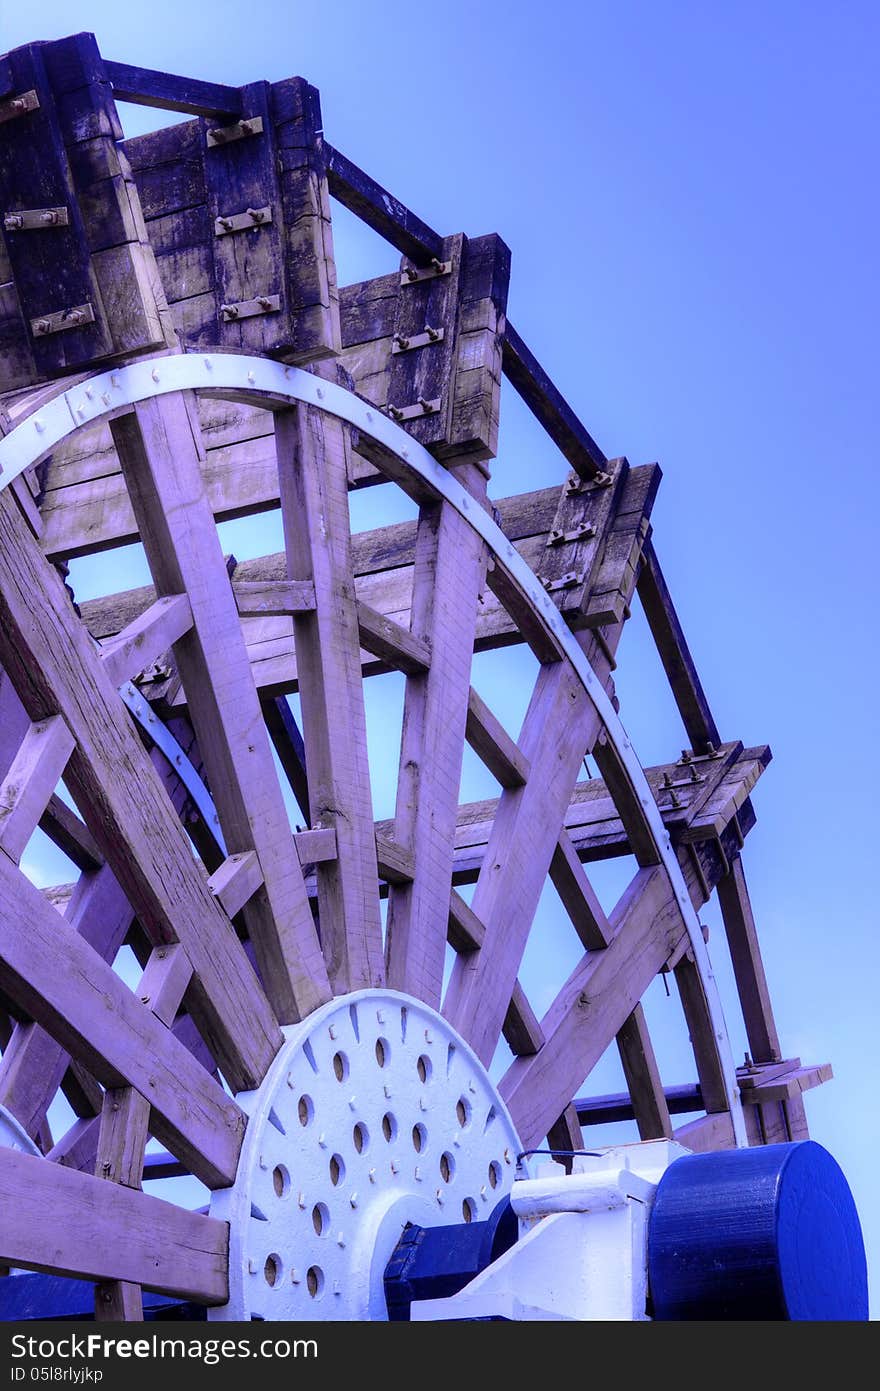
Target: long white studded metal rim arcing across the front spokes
column 109, row 393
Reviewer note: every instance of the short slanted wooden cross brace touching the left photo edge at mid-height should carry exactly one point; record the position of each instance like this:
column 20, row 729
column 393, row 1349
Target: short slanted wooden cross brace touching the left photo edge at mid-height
column 30, row 782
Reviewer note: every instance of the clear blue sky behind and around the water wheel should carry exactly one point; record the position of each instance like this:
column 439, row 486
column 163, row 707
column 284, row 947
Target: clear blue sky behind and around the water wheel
column 689, row 193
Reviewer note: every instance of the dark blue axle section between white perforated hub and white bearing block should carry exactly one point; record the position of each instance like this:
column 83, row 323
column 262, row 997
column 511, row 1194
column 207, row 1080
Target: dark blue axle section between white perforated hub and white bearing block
column 432, row 1262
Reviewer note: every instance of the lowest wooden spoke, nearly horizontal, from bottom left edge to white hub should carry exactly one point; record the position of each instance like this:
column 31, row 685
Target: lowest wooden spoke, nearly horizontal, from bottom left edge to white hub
column 70, row 1223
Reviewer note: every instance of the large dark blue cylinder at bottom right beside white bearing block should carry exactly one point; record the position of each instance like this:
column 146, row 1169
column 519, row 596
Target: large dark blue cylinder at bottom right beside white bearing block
column 765, row 1233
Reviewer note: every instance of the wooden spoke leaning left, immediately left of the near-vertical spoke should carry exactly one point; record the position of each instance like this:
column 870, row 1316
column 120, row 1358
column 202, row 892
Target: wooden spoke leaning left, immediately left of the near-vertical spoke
column 186, row 557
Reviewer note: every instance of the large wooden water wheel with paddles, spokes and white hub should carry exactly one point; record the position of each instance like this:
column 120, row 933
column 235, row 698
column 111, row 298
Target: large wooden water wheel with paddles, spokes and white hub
column 177, row 354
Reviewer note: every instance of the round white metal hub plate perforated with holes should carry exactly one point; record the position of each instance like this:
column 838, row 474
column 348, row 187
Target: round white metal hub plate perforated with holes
column 375, row 1113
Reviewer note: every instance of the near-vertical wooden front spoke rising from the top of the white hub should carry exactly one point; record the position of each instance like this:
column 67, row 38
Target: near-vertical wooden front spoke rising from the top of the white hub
column 313, row 482
